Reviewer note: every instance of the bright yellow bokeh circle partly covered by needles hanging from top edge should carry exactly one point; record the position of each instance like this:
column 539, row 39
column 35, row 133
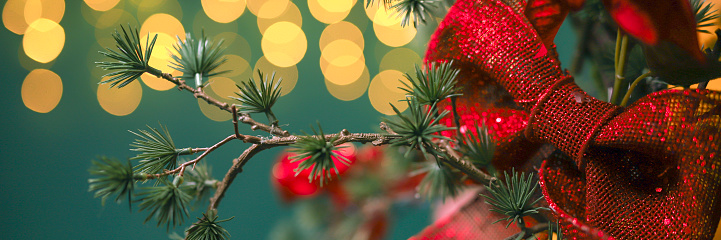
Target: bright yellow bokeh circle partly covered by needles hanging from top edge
column 387, row 27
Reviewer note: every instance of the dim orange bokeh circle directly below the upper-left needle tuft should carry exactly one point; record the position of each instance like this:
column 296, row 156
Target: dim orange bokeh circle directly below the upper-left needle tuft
column 120, row 101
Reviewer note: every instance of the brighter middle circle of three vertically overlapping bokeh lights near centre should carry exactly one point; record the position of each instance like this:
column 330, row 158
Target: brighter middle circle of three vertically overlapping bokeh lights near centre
column 342, row 62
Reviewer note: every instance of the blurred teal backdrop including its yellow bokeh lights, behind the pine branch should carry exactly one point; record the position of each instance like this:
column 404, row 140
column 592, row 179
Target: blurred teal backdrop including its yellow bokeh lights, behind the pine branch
column 46, row 155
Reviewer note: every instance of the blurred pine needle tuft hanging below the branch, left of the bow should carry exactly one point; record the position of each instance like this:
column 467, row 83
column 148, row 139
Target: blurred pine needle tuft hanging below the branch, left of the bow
column 440, row 180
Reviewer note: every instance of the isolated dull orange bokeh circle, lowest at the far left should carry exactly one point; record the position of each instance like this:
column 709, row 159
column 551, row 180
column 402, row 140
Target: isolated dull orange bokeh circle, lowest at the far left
column 41, row 90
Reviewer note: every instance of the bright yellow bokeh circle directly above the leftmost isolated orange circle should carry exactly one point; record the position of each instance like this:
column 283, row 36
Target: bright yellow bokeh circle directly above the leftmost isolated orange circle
column 44, row 40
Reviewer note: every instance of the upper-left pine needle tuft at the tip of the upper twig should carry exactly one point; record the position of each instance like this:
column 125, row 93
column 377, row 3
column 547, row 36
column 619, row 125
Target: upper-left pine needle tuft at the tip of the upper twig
column 131, row 62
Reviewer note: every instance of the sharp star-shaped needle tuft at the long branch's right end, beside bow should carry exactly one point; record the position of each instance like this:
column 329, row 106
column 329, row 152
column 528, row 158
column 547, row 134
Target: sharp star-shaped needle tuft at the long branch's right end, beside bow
column 418, row 130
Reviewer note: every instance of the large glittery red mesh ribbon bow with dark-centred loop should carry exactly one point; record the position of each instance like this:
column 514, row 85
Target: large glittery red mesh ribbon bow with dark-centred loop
column 649, row 171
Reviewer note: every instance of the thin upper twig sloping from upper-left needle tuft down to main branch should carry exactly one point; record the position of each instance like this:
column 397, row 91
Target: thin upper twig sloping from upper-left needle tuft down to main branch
column 244, row 117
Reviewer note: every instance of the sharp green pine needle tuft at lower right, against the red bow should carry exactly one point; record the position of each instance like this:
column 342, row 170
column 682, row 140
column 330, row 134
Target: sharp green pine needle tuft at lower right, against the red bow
column 513, row 198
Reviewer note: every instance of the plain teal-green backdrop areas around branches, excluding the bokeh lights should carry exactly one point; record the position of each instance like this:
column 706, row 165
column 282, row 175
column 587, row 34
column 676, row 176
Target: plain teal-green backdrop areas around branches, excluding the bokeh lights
column 45, row 156
